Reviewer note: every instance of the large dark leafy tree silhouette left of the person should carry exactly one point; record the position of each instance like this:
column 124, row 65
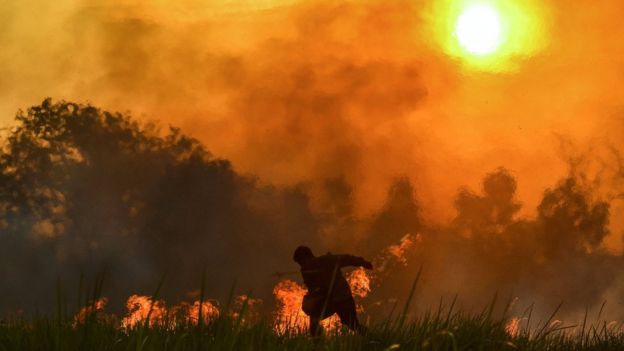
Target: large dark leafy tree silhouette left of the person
column 82, row 189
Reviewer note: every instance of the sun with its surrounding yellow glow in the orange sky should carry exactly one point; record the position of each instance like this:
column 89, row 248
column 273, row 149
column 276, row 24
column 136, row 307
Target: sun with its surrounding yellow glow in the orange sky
column 488, row 35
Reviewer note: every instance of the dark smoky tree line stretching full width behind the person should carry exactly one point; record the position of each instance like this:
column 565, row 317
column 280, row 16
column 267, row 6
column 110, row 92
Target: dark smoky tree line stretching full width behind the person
column 84, row 191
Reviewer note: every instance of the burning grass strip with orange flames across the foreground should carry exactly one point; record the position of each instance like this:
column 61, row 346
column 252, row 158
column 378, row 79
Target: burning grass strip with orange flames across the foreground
column 150, row 324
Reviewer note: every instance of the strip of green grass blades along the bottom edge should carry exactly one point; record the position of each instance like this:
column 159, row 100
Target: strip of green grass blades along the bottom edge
column 441, row 330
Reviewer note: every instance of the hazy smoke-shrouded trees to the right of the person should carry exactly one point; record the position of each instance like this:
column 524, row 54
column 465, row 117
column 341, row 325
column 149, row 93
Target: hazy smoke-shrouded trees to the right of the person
column 558, row 257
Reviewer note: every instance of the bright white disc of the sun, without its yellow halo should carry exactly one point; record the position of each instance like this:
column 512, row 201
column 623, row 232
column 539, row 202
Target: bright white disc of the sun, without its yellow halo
column 479, row 30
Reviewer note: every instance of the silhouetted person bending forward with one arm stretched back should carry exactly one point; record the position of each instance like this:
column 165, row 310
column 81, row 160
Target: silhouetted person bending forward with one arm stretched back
column 328, row 290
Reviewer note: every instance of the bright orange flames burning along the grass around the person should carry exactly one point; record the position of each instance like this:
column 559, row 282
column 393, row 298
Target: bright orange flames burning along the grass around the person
column 289, row 317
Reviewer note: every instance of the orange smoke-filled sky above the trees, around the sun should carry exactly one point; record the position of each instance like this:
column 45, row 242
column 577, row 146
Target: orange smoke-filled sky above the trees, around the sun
column 298, row 92
